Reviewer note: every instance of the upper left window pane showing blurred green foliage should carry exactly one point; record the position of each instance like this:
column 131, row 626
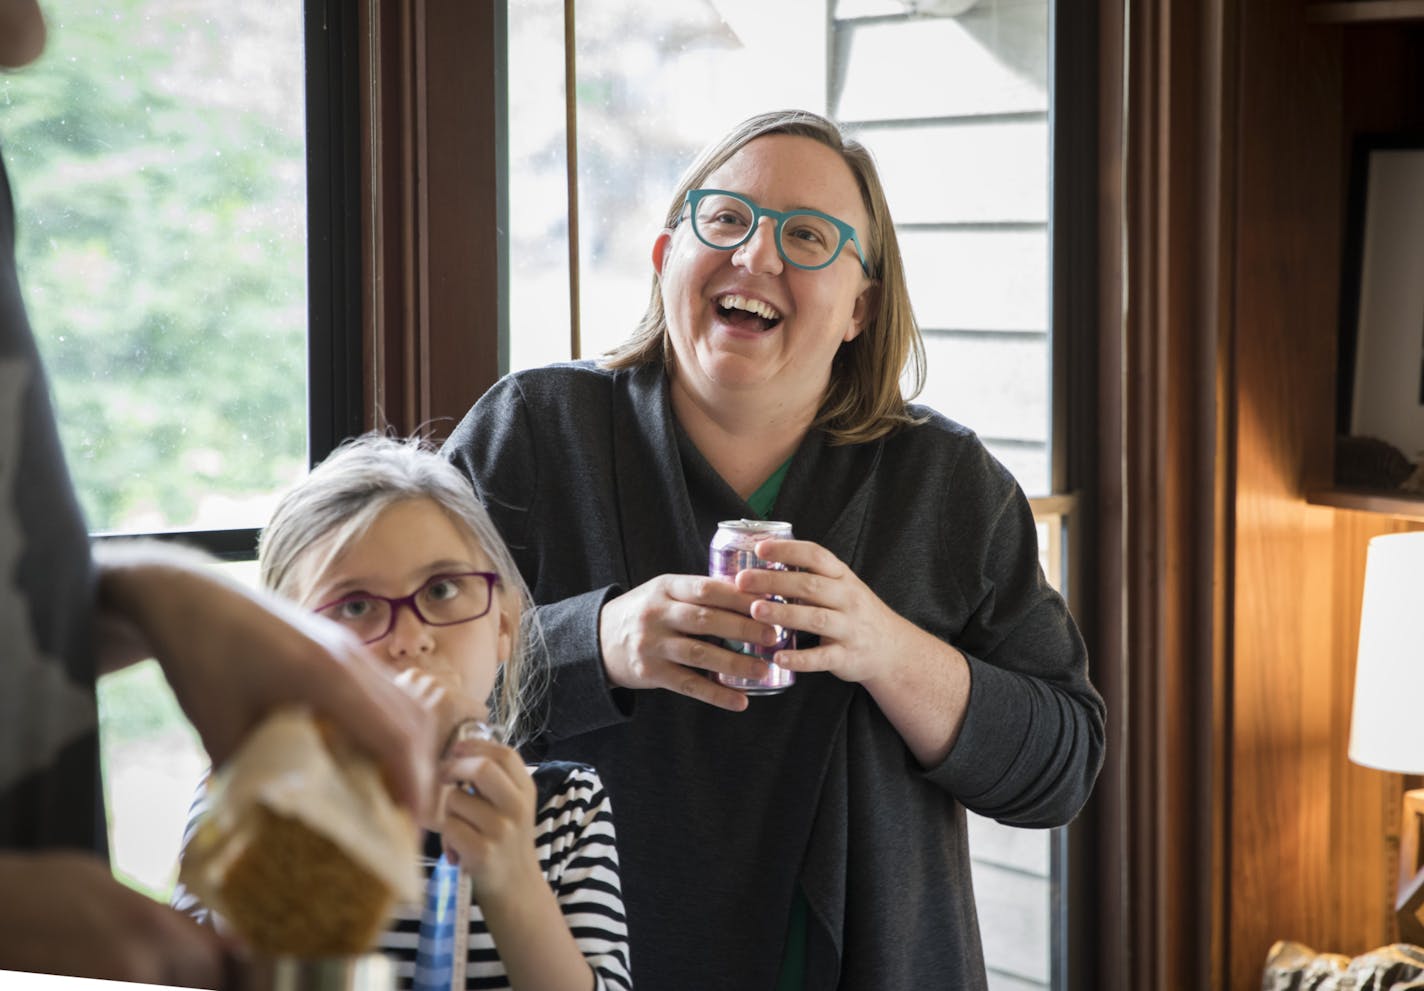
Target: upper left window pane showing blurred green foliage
column 157, row 154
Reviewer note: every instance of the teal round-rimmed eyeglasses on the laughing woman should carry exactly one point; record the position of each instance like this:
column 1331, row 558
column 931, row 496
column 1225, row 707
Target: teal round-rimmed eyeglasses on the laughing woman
column 805, row 238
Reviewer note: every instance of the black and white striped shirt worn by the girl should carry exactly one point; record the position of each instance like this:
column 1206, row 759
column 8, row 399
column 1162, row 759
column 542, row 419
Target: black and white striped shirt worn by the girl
column 575, row 838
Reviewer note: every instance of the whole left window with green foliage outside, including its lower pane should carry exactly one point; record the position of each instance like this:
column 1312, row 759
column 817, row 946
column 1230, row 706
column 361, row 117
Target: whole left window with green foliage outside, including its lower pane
column 160, row 159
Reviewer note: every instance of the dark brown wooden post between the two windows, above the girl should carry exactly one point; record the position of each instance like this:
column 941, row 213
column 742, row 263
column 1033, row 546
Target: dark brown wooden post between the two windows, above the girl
column 432, row 106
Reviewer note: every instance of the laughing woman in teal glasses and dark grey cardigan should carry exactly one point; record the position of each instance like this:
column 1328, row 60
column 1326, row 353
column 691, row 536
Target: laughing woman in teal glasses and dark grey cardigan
column 815, row 838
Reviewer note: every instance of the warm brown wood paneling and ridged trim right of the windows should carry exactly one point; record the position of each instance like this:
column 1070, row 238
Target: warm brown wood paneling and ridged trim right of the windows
column 1244, row 819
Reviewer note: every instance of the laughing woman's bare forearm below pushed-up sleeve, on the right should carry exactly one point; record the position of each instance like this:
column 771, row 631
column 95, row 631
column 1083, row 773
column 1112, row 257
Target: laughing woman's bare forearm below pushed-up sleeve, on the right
column 923, row 691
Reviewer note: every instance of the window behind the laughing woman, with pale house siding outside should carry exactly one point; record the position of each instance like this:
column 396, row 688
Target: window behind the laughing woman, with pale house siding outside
column 955, row 99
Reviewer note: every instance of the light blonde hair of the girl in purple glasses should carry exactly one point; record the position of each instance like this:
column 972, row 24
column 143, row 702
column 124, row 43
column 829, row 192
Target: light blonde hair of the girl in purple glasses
column 338, row 502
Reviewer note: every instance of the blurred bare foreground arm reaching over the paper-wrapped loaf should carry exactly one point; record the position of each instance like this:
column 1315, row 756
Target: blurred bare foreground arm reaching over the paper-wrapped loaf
column 233, row 656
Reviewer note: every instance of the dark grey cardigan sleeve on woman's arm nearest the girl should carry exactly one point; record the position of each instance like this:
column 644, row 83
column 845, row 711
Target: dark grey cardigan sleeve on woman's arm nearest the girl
column 498, row 448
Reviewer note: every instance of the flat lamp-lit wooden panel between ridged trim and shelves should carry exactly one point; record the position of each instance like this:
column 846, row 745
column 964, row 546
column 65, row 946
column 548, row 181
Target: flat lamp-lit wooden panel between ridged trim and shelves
column 1282, row 677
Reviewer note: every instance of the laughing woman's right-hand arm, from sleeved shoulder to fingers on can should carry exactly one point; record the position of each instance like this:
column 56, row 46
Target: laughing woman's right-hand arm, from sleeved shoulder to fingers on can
column 1005, row 718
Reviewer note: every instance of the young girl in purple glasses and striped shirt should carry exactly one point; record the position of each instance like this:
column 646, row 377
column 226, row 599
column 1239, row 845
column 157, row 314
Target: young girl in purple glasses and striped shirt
column 388, row 539
